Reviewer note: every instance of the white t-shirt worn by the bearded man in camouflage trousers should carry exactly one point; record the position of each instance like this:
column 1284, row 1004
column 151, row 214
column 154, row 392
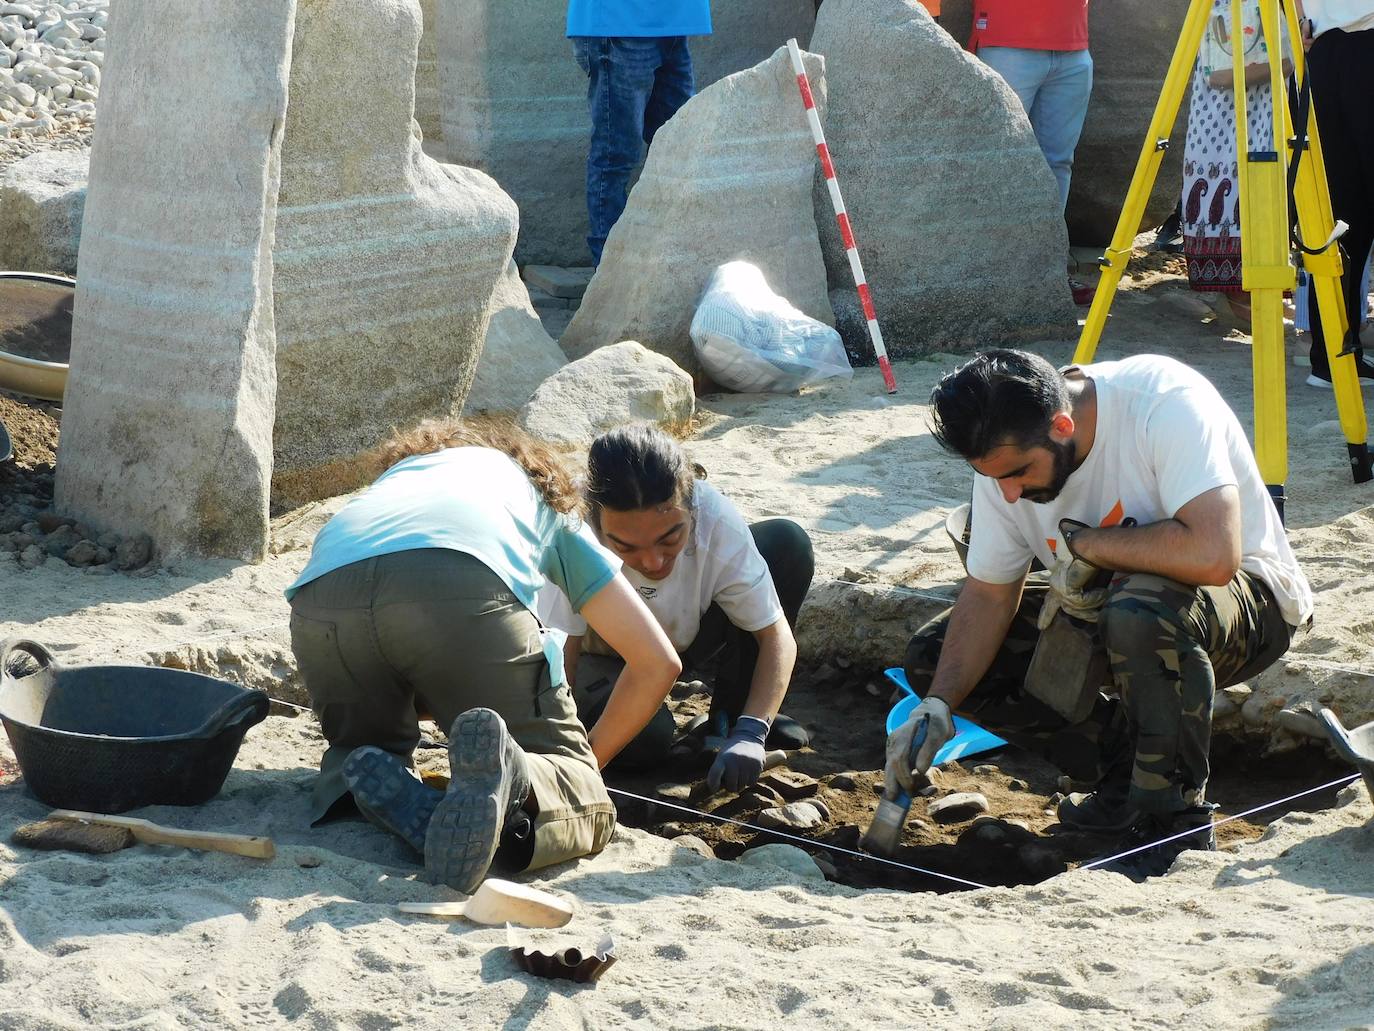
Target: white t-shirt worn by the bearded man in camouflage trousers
column 1164, row 436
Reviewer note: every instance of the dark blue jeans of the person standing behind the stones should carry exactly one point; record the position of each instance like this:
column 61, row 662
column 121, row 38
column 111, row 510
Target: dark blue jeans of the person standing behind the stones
column 634, row 86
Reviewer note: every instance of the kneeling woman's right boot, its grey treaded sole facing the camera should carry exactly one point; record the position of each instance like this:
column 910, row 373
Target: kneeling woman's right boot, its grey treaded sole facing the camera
column 488, row 786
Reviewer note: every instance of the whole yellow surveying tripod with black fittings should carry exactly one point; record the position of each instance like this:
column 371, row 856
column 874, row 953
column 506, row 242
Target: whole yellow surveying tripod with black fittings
column 1266, row 266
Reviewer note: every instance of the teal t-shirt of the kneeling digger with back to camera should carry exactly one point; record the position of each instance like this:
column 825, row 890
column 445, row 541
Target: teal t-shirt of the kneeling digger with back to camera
column 476, row 501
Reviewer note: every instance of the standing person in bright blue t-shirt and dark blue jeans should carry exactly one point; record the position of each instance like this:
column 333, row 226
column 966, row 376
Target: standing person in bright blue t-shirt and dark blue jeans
column 638, row 75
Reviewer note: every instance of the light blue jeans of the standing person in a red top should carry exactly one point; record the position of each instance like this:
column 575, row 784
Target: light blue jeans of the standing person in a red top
column 1055, row 87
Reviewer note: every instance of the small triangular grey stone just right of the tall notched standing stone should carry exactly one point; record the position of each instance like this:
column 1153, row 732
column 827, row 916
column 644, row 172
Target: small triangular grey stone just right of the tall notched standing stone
column 519, row 354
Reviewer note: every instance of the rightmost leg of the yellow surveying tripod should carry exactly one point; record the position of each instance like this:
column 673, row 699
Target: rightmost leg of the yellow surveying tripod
column 1316, row 223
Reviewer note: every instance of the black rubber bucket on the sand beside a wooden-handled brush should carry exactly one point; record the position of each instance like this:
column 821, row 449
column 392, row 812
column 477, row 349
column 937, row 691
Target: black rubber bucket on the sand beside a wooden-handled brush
column 109, row 739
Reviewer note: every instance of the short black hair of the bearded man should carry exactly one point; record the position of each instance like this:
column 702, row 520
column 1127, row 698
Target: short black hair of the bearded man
column 1000, row 397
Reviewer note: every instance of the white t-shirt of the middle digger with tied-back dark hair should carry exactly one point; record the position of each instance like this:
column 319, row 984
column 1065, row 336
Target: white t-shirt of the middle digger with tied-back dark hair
column 719, row 564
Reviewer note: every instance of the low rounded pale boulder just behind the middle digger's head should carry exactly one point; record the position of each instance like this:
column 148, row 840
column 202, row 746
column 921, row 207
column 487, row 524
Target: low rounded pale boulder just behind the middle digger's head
column 609, row 388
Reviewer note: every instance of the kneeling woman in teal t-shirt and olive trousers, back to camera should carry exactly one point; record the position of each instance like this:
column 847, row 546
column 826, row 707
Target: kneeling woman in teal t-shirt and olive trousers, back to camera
column 418, row 599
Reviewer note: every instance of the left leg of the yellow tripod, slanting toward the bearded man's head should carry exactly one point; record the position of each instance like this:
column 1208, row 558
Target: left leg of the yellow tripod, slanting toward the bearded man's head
column 1147, row 170
